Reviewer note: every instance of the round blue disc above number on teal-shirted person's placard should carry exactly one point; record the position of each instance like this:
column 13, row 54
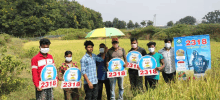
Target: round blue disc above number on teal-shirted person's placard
column 147, row 62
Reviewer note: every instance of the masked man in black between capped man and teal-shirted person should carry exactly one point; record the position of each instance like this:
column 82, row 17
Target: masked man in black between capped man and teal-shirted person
column 136, row 81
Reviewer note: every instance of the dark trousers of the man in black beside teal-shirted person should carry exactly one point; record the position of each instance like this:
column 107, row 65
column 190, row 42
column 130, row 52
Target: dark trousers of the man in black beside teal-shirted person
column 136, row 81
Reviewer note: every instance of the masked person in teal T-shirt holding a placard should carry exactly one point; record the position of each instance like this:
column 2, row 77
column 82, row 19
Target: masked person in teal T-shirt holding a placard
column 153, row 79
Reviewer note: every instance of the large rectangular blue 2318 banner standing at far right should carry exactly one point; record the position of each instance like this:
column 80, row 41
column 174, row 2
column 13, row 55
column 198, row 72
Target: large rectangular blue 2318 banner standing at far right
column 192, row 53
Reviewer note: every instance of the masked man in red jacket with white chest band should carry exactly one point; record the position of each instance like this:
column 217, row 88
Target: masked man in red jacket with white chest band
column 38, row 62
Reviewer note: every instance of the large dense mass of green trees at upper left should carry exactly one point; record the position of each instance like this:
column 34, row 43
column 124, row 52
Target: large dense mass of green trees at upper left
column 38, row 17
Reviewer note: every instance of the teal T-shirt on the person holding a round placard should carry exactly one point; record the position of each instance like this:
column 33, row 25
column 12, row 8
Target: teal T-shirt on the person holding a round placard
column 157, row 57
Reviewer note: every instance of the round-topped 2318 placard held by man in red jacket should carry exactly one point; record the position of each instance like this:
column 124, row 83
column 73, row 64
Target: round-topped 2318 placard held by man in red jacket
column 48, row 77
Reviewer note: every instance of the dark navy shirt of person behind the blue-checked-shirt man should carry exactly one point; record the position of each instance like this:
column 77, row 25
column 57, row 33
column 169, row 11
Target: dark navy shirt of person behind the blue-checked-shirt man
column 102, row 70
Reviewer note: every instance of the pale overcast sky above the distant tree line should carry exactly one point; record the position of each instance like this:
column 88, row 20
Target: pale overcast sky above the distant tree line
column 138, row 10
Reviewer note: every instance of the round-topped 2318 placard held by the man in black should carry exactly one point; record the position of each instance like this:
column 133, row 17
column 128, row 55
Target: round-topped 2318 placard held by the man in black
column 133, row 57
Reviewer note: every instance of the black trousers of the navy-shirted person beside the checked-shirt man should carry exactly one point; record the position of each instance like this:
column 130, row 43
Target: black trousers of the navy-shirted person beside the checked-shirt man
column 107, row 86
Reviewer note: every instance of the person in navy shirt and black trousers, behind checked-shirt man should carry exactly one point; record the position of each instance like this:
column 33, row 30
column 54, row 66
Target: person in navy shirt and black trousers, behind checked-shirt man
column 102, row 74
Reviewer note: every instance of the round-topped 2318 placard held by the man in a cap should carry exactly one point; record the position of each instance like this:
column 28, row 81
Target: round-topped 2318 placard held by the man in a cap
column 115, row 68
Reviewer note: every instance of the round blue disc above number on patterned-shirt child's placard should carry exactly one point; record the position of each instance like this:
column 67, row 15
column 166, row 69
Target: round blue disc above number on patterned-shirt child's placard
column 72, row 74
